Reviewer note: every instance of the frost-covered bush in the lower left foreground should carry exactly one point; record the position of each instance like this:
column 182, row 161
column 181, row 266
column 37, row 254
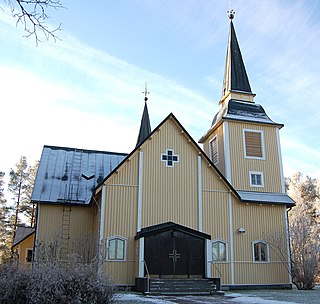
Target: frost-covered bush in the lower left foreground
column 47, row 283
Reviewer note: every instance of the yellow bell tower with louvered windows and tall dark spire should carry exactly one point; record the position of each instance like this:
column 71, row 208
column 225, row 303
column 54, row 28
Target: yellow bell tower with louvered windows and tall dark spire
column 243, row 142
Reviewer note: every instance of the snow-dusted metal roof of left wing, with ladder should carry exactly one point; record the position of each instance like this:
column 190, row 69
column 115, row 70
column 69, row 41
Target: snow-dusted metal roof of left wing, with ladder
column 68, row 175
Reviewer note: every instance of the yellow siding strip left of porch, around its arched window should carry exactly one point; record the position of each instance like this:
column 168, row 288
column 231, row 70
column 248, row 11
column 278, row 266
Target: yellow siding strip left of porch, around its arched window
column 121, row 220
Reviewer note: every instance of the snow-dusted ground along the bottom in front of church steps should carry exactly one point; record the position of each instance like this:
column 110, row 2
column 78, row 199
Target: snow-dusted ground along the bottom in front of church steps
column 249, row 297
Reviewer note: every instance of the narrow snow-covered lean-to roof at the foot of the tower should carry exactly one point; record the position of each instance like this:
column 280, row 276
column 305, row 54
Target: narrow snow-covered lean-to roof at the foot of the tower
column 266, row 198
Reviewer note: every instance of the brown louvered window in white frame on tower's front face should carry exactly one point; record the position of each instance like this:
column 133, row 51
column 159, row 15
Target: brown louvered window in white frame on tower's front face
column 253, row 144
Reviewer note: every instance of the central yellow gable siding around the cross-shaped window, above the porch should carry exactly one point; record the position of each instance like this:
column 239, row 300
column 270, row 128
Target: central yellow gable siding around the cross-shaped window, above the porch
column 171, row 193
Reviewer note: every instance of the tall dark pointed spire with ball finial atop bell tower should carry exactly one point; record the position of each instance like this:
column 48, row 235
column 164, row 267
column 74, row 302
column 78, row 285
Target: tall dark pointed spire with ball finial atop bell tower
column 235, row 75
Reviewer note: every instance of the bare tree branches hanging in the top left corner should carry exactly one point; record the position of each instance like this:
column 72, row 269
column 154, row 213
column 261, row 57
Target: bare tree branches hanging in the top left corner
column 32, row 14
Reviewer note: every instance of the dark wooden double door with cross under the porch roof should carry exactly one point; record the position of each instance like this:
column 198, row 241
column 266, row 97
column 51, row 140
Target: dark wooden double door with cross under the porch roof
column 174, row 254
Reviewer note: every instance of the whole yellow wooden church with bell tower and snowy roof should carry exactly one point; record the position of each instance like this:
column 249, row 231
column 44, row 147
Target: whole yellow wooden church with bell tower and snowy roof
column 171, row 209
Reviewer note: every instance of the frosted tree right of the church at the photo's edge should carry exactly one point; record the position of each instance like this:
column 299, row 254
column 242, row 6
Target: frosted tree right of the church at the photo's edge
column 304, row 231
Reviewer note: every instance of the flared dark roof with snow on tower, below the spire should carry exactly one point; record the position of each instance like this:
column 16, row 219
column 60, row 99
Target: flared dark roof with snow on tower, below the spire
column 243, row 111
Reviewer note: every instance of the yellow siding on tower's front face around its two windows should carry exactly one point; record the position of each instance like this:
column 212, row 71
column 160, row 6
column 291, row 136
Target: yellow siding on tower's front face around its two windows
column 241, row 166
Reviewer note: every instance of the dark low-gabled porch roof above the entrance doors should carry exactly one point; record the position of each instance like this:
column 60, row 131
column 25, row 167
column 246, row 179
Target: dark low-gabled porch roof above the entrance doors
column 168, row 226
